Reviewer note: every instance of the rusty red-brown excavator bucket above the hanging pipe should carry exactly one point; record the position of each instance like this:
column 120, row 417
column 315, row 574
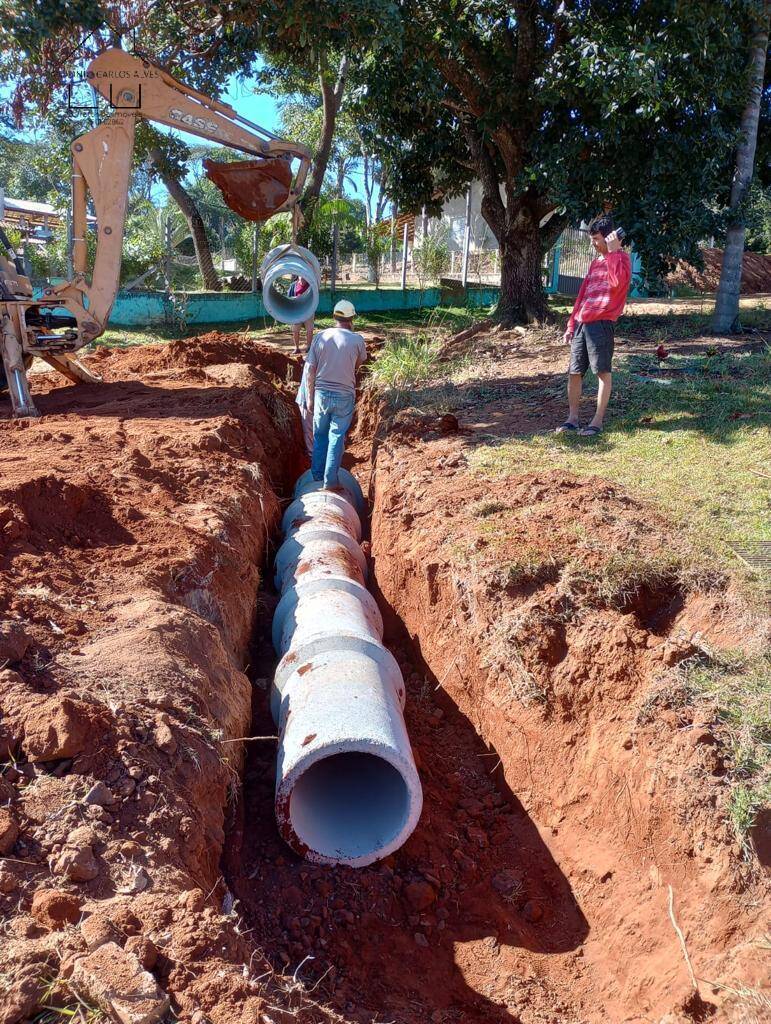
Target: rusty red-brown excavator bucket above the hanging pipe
column 254, row 189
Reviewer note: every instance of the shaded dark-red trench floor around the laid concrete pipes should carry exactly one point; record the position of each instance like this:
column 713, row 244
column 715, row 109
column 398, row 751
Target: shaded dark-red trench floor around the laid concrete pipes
column 417, row 937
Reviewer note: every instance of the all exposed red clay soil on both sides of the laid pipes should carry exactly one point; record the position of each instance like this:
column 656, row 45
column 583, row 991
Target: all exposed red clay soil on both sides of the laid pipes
column 563, row 794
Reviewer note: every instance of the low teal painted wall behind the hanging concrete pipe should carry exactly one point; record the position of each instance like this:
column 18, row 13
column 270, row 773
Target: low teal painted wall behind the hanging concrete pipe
column 143, row 309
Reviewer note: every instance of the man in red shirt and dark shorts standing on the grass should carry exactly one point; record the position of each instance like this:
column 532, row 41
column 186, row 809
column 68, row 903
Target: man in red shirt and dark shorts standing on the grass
column 590, row 330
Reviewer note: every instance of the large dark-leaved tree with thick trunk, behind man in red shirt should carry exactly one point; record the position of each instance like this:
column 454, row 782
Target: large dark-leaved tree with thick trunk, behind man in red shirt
column 574, row 107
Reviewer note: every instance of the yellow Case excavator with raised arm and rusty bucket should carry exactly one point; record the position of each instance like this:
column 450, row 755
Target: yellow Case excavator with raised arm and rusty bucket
column 70, row 316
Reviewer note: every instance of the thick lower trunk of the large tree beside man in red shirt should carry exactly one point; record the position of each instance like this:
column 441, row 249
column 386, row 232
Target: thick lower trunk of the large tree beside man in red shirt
column 523, row 300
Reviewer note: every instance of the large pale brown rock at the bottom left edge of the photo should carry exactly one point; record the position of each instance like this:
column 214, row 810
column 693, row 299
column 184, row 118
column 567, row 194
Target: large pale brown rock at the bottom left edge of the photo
column 116, row 980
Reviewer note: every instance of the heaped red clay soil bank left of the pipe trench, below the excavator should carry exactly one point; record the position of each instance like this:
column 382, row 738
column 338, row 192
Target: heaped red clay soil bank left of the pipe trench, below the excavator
column 135, row 522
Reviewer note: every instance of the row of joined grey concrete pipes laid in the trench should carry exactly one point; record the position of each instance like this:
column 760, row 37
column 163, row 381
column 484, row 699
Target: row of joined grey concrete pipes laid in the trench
column 348, row 789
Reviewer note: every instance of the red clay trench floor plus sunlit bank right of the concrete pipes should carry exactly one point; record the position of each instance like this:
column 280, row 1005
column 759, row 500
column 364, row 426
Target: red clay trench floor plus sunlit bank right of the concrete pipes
column 563, row 794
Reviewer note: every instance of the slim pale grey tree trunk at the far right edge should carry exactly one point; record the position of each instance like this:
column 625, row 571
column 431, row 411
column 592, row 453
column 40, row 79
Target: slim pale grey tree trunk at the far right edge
column 726, row 314
